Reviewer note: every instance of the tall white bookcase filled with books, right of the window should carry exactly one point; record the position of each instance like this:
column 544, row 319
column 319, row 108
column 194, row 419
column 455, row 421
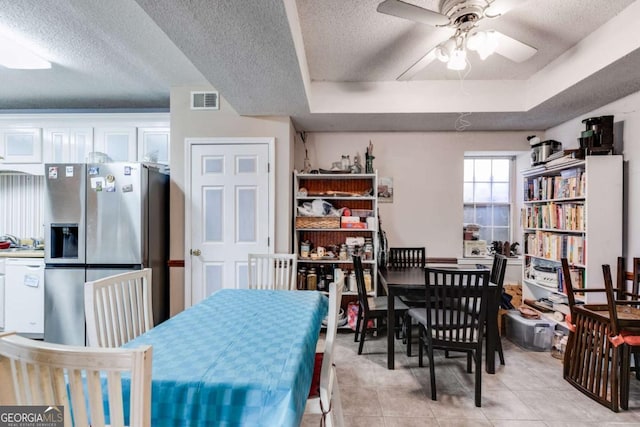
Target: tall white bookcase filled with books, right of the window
column 571, row 209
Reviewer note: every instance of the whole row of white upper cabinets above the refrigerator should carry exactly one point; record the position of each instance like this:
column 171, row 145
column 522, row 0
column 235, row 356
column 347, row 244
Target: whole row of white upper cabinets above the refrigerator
column 29, row 140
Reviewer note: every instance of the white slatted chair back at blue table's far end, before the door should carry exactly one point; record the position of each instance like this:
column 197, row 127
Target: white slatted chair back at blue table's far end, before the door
column 272, row 271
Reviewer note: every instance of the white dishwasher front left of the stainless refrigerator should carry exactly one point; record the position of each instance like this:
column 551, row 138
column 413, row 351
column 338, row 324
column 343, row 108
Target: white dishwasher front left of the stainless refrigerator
column 24, row 296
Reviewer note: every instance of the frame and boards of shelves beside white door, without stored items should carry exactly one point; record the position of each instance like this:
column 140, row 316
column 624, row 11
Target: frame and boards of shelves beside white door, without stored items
column 358, row 192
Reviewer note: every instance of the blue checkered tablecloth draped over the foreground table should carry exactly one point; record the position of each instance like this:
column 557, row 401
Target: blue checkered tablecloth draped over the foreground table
column 240, row 357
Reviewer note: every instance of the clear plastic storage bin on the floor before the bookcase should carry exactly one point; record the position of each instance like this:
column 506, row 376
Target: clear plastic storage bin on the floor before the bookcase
column 531, row 334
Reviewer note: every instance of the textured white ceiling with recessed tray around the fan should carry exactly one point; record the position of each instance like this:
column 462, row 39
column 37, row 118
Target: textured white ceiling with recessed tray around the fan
column 330, row 65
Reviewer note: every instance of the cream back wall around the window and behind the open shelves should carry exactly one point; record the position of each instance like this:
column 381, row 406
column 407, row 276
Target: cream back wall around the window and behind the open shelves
column 427, row 172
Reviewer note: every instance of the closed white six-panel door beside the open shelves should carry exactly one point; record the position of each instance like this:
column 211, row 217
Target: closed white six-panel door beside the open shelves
column 230, row 208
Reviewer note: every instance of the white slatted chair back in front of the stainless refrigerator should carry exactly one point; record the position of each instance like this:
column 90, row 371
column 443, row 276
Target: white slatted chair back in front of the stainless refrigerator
column 118, row 308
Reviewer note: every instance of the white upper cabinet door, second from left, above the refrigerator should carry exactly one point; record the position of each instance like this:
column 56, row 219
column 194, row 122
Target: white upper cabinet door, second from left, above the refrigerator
column 68, row 145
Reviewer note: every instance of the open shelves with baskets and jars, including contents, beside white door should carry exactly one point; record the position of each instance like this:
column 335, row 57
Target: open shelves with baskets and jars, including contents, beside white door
column 325, row 243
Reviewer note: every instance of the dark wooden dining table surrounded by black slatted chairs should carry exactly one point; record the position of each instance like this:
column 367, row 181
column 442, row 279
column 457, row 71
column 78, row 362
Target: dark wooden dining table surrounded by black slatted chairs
column 411, row 281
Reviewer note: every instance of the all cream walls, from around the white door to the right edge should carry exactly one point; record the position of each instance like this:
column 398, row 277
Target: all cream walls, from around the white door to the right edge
column 426, row 168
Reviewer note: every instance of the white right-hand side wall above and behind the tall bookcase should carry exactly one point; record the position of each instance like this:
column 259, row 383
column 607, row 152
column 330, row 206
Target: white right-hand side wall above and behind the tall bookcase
column 626, row 112
